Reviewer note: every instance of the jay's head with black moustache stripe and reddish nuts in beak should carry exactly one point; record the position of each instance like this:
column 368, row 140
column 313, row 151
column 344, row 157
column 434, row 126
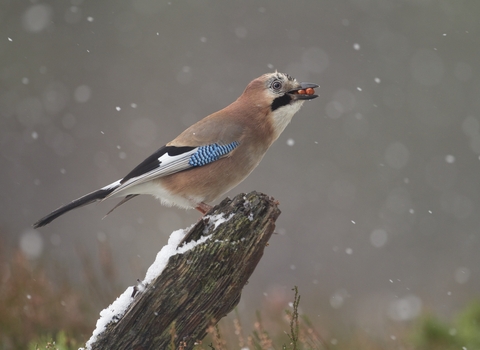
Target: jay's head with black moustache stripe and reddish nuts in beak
column 280, row 95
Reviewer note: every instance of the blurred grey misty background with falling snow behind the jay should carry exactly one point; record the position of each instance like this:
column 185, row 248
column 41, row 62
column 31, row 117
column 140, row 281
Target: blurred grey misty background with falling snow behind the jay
column 378, row 178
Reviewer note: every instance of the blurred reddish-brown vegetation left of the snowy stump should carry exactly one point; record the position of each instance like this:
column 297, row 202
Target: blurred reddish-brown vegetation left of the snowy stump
column 37, row 307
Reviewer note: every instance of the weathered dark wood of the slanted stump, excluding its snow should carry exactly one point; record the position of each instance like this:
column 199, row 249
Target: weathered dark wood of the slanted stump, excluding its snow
column 199, row 287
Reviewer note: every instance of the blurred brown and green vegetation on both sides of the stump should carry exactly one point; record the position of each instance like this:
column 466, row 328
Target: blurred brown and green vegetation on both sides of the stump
column 38, row 313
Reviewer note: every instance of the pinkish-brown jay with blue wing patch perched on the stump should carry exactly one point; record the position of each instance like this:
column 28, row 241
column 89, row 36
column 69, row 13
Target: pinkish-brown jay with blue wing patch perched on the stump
column 213, row 155
